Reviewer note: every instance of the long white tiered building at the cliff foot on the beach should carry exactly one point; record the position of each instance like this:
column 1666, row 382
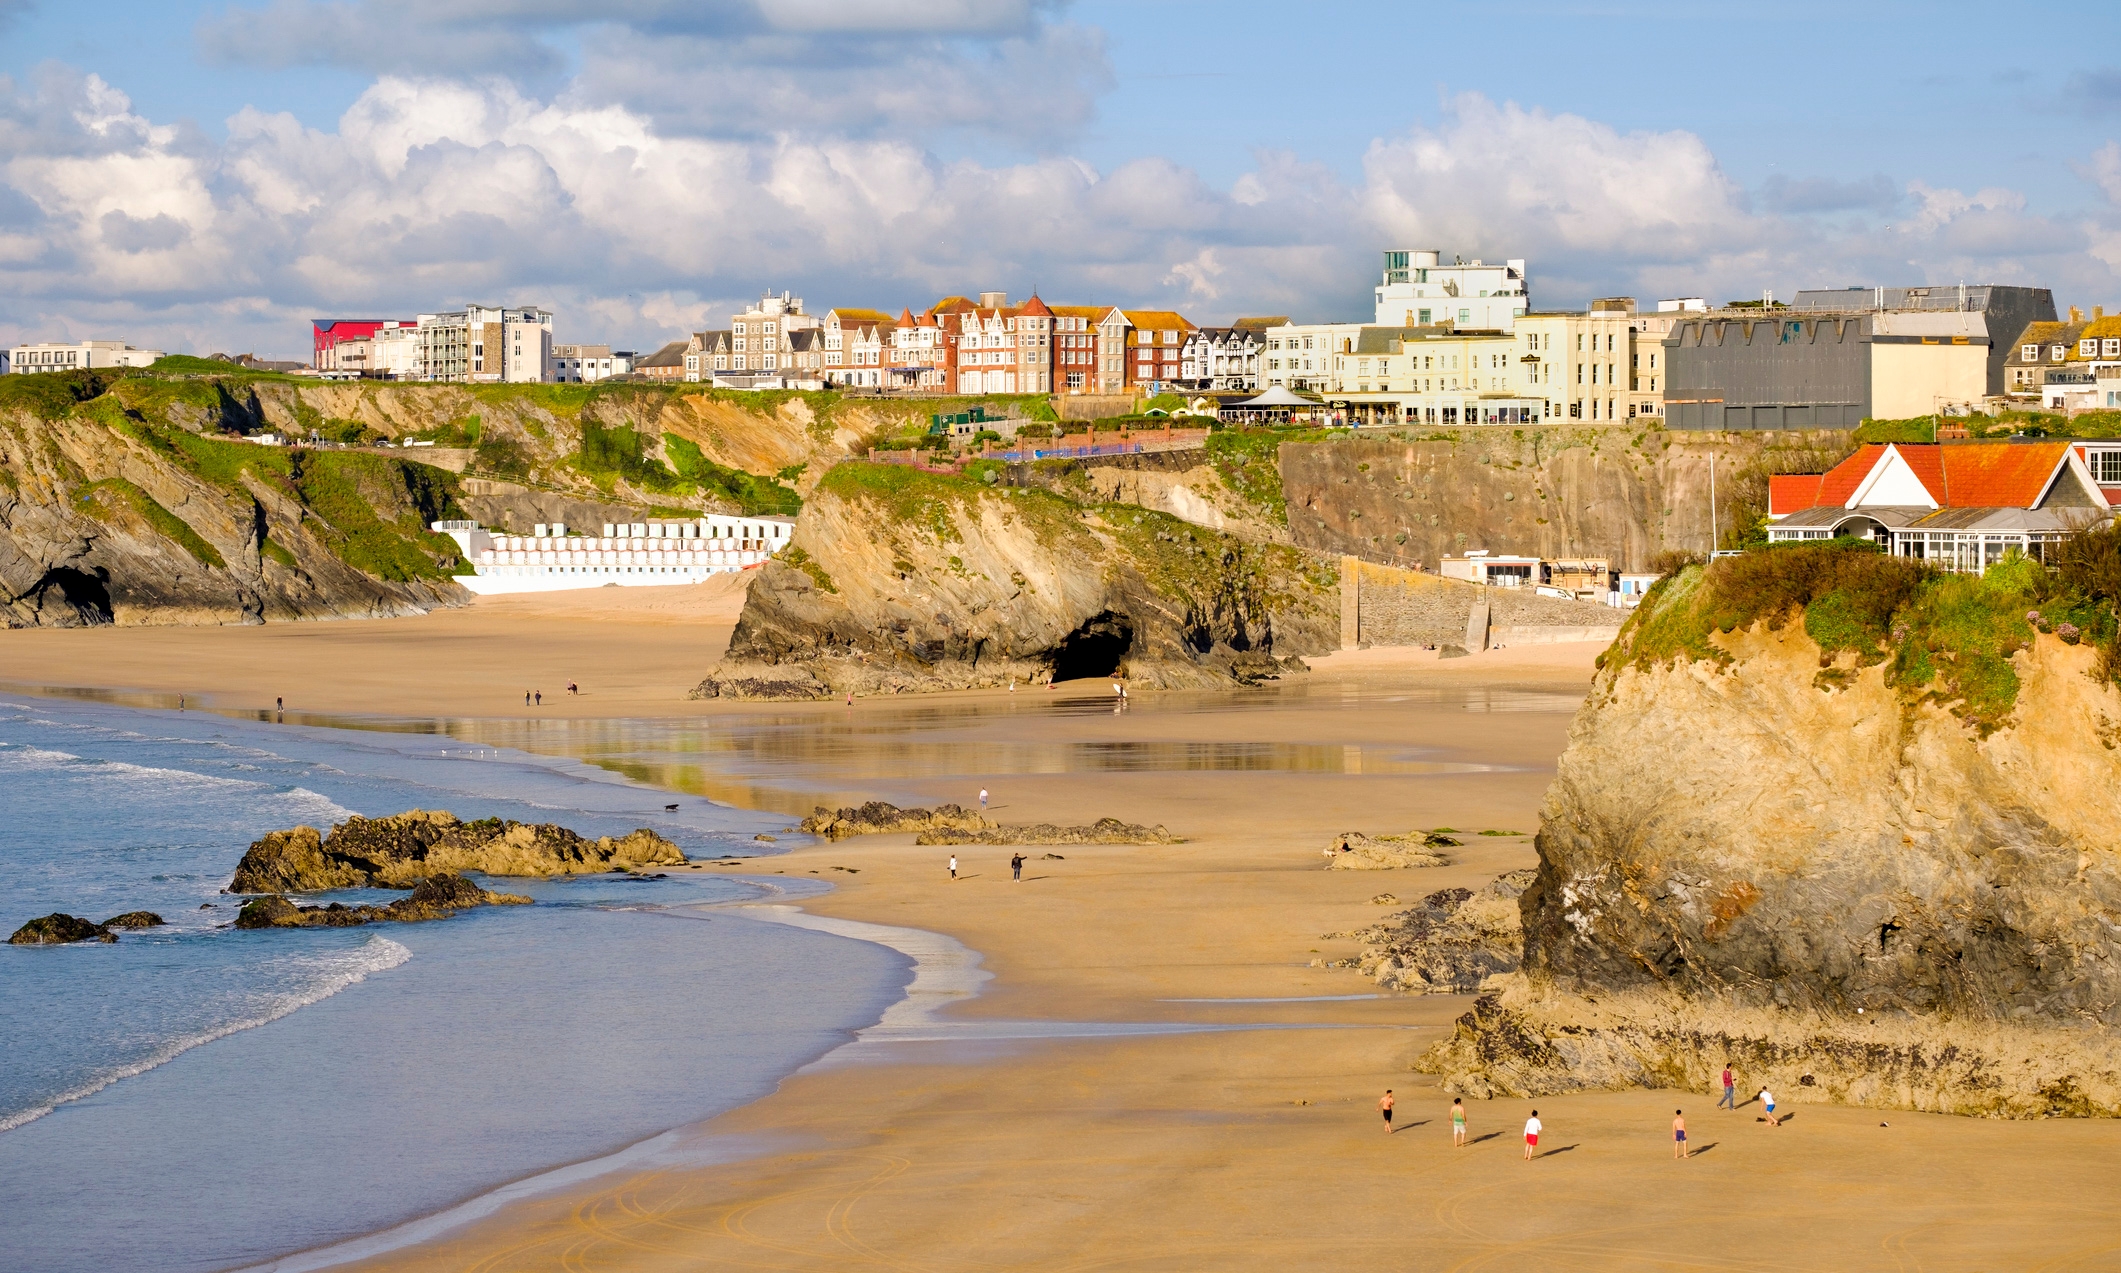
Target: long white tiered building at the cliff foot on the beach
column 635, row 555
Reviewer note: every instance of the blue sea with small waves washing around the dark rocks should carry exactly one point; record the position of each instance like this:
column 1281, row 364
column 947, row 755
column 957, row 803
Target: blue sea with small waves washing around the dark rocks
column 205, row 1098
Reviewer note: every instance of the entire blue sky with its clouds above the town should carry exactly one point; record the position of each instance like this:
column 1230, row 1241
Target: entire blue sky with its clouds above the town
column 211, row 177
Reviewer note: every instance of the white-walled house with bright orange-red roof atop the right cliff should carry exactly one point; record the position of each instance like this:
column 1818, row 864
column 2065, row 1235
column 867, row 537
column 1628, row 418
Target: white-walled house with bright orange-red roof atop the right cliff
column 1959, row 506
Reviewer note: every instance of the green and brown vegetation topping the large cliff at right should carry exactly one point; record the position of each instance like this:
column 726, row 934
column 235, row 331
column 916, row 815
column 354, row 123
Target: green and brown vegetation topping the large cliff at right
column 1946, row 640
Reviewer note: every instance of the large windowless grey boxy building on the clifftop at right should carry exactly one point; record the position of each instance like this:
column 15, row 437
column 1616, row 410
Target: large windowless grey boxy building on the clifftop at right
column 1812, row 366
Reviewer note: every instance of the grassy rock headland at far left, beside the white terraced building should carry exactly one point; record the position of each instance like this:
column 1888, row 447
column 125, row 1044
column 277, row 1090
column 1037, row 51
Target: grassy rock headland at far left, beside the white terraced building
column 113, row 512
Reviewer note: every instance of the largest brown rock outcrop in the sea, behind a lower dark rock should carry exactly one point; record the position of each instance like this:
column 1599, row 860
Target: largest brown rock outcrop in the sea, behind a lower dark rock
column 402, row 850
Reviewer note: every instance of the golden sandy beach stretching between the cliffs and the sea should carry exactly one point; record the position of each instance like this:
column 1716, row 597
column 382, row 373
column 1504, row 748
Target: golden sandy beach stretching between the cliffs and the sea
column 1255, row 1147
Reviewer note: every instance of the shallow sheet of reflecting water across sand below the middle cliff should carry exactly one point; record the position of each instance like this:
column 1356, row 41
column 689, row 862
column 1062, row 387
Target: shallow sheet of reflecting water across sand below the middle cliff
column 788, row 758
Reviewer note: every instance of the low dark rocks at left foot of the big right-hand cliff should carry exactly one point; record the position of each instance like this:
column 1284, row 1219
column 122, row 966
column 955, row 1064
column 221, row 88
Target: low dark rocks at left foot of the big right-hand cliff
column 1454, row 943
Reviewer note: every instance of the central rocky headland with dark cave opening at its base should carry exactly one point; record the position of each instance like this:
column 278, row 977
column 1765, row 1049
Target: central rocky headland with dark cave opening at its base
column 907, row 580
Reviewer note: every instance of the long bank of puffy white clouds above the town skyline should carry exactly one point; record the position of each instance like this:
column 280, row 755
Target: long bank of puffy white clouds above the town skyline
column 438, row 192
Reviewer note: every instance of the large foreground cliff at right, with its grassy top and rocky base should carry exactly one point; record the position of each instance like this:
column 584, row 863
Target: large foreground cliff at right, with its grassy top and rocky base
column 1846, row 822
